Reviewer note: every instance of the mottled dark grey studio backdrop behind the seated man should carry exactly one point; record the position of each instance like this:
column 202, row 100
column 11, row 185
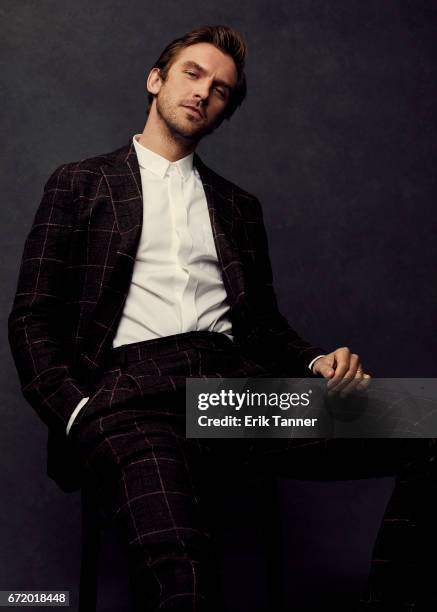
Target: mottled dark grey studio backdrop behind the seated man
column 337, row 138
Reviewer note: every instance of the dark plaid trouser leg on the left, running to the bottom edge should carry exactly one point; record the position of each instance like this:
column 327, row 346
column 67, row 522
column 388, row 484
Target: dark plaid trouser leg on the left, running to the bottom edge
column 148, row 480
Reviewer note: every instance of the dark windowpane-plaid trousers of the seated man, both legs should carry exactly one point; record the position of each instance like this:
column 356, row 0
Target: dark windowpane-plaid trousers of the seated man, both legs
column 157, row 487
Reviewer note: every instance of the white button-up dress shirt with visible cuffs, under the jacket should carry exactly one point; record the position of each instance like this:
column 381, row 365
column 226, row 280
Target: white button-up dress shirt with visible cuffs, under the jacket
column 176, row 283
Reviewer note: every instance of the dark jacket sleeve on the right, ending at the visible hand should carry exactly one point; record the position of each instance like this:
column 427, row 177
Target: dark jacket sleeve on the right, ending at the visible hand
column 273, row 337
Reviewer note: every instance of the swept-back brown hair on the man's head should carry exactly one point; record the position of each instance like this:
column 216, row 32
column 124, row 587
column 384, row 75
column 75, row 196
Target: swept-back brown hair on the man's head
column 224, row 38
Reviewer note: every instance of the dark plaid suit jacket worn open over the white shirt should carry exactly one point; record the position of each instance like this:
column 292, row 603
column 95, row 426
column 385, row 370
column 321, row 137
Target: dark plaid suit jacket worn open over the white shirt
column 75, row 274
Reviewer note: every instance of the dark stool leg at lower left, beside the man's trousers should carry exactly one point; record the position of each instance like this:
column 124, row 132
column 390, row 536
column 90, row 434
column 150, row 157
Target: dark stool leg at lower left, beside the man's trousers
column 89, row 563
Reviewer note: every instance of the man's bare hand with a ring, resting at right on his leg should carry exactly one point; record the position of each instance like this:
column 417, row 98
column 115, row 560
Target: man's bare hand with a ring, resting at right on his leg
column 344, row 371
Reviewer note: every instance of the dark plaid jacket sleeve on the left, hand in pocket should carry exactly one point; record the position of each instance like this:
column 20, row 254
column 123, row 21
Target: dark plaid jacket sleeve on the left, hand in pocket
column 35, row 321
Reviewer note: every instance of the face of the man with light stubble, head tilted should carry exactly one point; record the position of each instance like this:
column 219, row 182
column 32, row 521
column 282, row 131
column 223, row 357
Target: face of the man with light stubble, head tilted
column 192, row 99
